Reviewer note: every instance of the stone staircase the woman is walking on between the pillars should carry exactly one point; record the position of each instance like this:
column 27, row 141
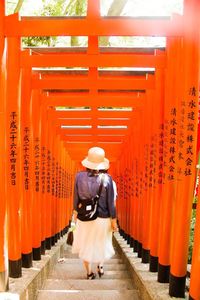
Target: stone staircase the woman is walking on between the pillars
column 68, row 280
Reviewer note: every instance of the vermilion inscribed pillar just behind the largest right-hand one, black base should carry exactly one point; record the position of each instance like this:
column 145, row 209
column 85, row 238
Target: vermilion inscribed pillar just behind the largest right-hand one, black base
column 170, row 133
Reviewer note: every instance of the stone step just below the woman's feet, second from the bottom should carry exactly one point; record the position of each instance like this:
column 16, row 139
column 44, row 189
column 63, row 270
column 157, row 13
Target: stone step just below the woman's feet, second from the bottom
column 84, row 284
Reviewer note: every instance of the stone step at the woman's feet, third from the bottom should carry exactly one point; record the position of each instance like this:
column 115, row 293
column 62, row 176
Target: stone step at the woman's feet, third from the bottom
column 60, row 273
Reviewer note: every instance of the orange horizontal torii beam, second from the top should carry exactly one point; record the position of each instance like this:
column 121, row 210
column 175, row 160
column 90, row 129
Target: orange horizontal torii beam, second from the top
column 93, row 60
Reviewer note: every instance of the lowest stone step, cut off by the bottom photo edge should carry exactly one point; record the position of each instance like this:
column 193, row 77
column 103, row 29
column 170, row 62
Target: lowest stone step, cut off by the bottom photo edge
column 88, row 295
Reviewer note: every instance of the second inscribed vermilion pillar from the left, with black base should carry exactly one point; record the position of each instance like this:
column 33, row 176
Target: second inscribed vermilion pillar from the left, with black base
column 27, row 165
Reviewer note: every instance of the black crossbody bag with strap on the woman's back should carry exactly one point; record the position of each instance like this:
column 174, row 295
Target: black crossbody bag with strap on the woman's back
column 87, row 208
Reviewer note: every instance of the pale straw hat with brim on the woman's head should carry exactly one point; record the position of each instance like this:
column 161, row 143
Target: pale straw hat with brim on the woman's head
column 96, row 159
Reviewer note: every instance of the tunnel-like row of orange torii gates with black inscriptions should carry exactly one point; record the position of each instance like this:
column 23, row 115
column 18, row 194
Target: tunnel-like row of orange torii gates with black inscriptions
column 147, row 122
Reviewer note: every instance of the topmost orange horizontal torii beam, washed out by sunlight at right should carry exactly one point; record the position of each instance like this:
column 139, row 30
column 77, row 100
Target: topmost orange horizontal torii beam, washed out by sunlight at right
column 119, row 26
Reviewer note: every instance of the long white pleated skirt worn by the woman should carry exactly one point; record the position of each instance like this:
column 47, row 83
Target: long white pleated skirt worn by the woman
column 93, row 240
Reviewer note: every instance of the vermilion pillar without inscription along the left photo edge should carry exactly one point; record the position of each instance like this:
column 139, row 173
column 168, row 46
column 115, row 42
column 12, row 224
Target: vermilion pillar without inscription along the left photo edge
column 3, row 223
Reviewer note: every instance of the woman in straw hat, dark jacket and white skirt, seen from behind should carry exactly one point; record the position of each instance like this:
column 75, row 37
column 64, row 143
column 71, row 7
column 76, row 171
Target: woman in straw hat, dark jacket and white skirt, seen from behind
column 93, row 239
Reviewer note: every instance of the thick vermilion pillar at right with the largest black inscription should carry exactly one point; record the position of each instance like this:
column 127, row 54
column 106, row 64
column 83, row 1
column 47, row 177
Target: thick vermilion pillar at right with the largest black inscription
column 187, row 141
